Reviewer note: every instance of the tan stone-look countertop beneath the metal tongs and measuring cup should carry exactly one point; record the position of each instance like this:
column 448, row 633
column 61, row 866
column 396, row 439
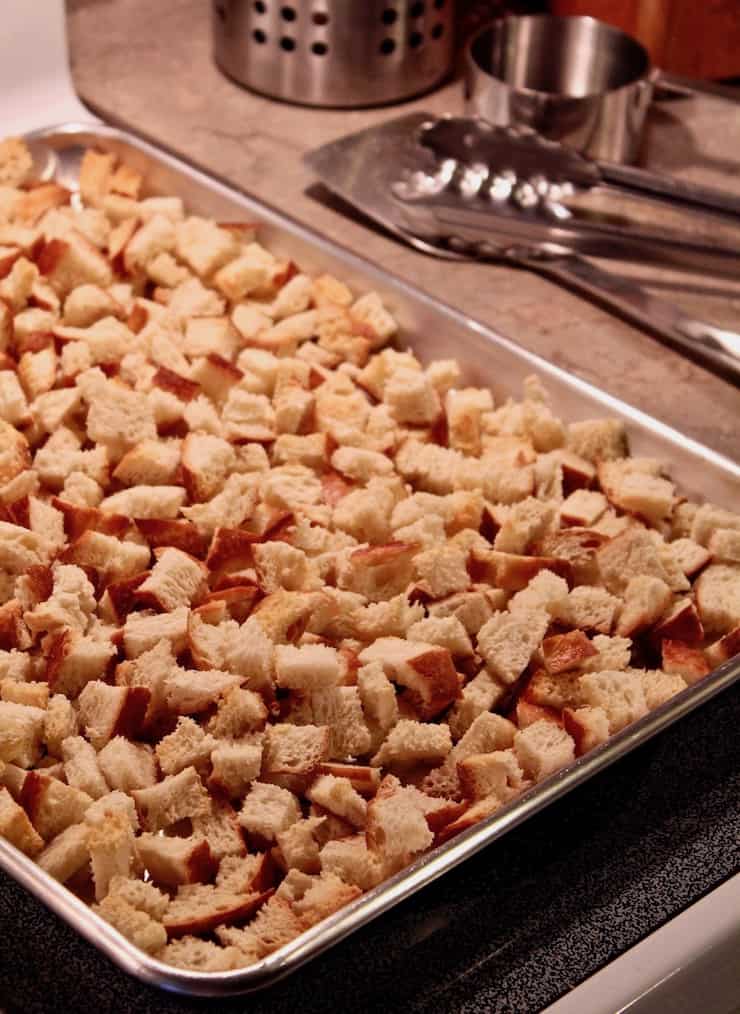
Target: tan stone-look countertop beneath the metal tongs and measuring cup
column 149, row 65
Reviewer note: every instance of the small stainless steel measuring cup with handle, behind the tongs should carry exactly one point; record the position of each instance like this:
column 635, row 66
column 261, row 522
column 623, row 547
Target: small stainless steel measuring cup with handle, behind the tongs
column 576, row 81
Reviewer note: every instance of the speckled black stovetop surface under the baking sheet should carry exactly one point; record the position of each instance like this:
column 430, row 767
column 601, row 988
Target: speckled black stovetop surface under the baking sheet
column 509, row 931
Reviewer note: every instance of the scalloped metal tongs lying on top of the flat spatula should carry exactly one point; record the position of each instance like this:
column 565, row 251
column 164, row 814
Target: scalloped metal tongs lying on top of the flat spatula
column 504, row 192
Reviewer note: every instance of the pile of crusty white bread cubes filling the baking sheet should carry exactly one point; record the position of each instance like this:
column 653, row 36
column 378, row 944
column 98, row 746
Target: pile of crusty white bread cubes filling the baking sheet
column 281, row 609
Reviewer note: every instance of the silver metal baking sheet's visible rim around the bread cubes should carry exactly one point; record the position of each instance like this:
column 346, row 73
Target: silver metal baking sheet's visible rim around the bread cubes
column 432, row 330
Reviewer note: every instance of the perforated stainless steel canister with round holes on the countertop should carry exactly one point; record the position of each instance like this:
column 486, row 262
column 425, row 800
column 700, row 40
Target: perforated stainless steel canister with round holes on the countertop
column 336, row 53
